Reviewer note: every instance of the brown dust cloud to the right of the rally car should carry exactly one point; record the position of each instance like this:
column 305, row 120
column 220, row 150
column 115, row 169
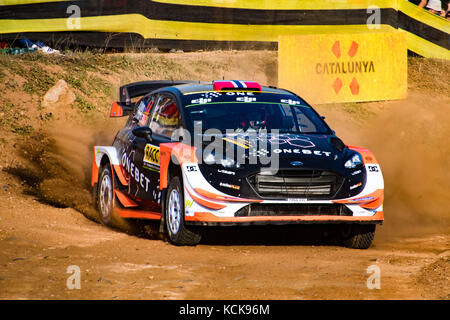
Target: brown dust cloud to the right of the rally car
column 411, row 140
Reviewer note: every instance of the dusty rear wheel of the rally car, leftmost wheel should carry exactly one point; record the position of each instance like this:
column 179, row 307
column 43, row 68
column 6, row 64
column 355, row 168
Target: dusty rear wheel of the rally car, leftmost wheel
column 105, row 196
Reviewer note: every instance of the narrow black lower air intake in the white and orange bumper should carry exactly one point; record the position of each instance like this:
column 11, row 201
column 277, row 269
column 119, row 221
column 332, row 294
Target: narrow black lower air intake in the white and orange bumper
column 263, row 209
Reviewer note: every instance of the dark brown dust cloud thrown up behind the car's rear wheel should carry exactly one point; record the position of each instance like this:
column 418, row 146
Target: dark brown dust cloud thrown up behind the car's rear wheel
column 58, row 163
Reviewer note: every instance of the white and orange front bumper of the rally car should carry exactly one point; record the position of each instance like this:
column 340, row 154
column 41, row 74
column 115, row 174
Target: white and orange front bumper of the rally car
column 208, row 206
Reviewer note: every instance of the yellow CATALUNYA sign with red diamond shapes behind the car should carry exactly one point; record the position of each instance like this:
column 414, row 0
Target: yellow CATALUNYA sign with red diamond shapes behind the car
column 327, row 68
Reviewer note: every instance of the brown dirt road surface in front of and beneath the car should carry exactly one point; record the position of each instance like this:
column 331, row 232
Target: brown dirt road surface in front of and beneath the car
column 39, row 242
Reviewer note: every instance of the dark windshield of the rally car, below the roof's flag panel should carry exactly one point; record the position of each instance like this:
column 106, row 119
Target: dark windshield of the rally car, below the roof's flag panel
column 251, row 112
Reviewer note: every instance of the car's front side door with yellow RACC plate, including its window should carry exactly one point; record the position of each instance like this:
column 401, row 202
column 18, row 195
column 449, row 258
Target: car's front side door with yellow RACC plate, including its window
column 163, row 120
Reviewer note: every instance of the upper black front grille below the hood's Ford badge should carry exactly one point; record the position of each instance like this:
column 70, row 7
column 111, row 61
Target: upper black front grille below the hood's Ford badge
column 311, row 184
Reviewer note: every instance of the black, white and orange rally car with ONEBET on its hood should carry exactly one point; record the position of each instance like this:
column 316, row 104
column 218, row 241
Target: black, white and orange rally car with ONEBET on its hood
column 198, row 154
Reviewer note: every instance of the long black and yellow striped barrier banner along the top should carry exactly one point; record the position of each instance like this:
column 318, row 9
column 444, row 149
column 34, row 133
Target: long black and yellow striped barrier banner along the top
column 212, row 23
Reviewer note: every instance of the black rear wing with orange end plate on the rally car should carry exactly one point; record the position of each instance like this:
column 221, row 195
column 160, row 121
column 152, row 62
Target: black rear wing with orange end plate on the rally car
column 132, row 90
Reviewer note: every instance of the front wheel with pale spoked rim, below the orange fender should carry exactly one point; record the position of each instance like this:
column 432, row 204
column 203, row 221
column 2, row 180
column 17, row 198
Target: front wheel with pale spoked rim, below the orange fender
column 178, row 233
